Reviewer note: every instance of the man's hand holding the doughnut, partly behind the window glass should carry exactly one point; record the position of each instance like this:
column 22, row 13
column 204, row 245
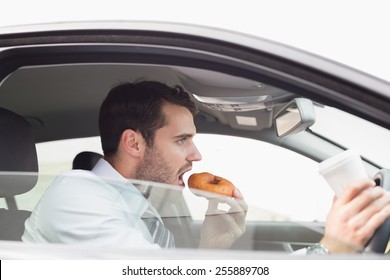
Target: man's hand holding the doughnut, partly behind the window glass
column 221, row 228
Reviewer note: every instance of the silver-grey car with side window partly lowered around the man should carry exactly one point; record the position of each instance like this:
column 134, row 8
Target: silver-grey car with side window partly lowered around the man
column 56, row 76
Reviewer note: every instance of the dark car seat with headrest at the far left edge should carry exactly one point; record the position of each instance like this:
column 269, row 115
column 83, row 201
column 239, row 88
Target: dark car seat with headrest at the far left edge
column 17, row 154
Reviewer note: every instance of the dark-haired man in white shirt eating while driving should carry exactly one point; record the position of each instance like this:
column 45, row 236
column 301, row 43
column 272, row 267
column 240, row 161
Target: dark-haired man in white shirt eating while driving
column 147, row 131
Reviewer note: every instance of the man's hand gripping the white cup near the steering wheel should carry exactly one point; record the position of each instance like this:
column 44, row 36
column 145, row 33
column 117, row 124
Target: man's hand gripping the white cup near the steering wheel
column 354, row 217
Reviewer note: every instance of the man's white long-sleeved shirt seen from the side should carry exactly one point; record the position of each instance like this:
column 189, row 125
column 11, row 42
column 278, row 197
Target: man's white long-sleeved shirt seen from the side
column 98, row 207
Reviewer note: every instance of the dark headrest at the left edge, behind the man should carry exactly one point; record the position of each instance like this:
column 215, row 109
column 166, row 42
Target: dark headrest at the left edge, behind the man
column 17, row 153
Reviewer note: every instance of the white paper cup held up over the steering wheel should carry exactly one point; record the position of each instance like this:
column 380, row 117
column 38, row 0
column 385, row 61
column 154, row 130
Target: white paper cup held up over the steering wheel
column 341, row 169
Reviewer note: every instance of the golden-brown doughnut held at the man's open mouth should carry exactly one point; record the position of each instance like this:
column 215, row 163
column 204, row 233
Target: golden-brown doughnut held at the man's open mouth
column 208, row 182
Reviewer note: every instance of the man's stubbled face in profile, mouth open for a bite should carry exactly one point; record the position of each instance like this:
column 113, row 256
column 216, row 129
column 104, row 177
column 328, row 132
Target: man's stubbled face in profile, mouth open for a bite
column 173, row 150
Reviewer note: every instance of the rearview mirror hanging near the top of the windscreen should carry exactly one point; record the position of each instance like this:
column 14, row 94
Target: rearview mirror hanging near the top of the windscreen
column 296, row 116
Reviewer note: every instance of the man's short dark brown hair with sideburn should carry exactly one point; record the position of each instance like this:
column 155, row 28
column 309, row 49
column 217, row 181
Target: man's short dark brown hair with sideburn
column 137, row 106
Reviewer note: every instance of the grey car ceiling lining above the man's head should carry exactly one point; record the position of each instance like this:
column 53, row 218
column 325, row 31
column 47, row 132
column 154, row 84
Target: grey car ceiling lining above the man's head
column 55, row 97
